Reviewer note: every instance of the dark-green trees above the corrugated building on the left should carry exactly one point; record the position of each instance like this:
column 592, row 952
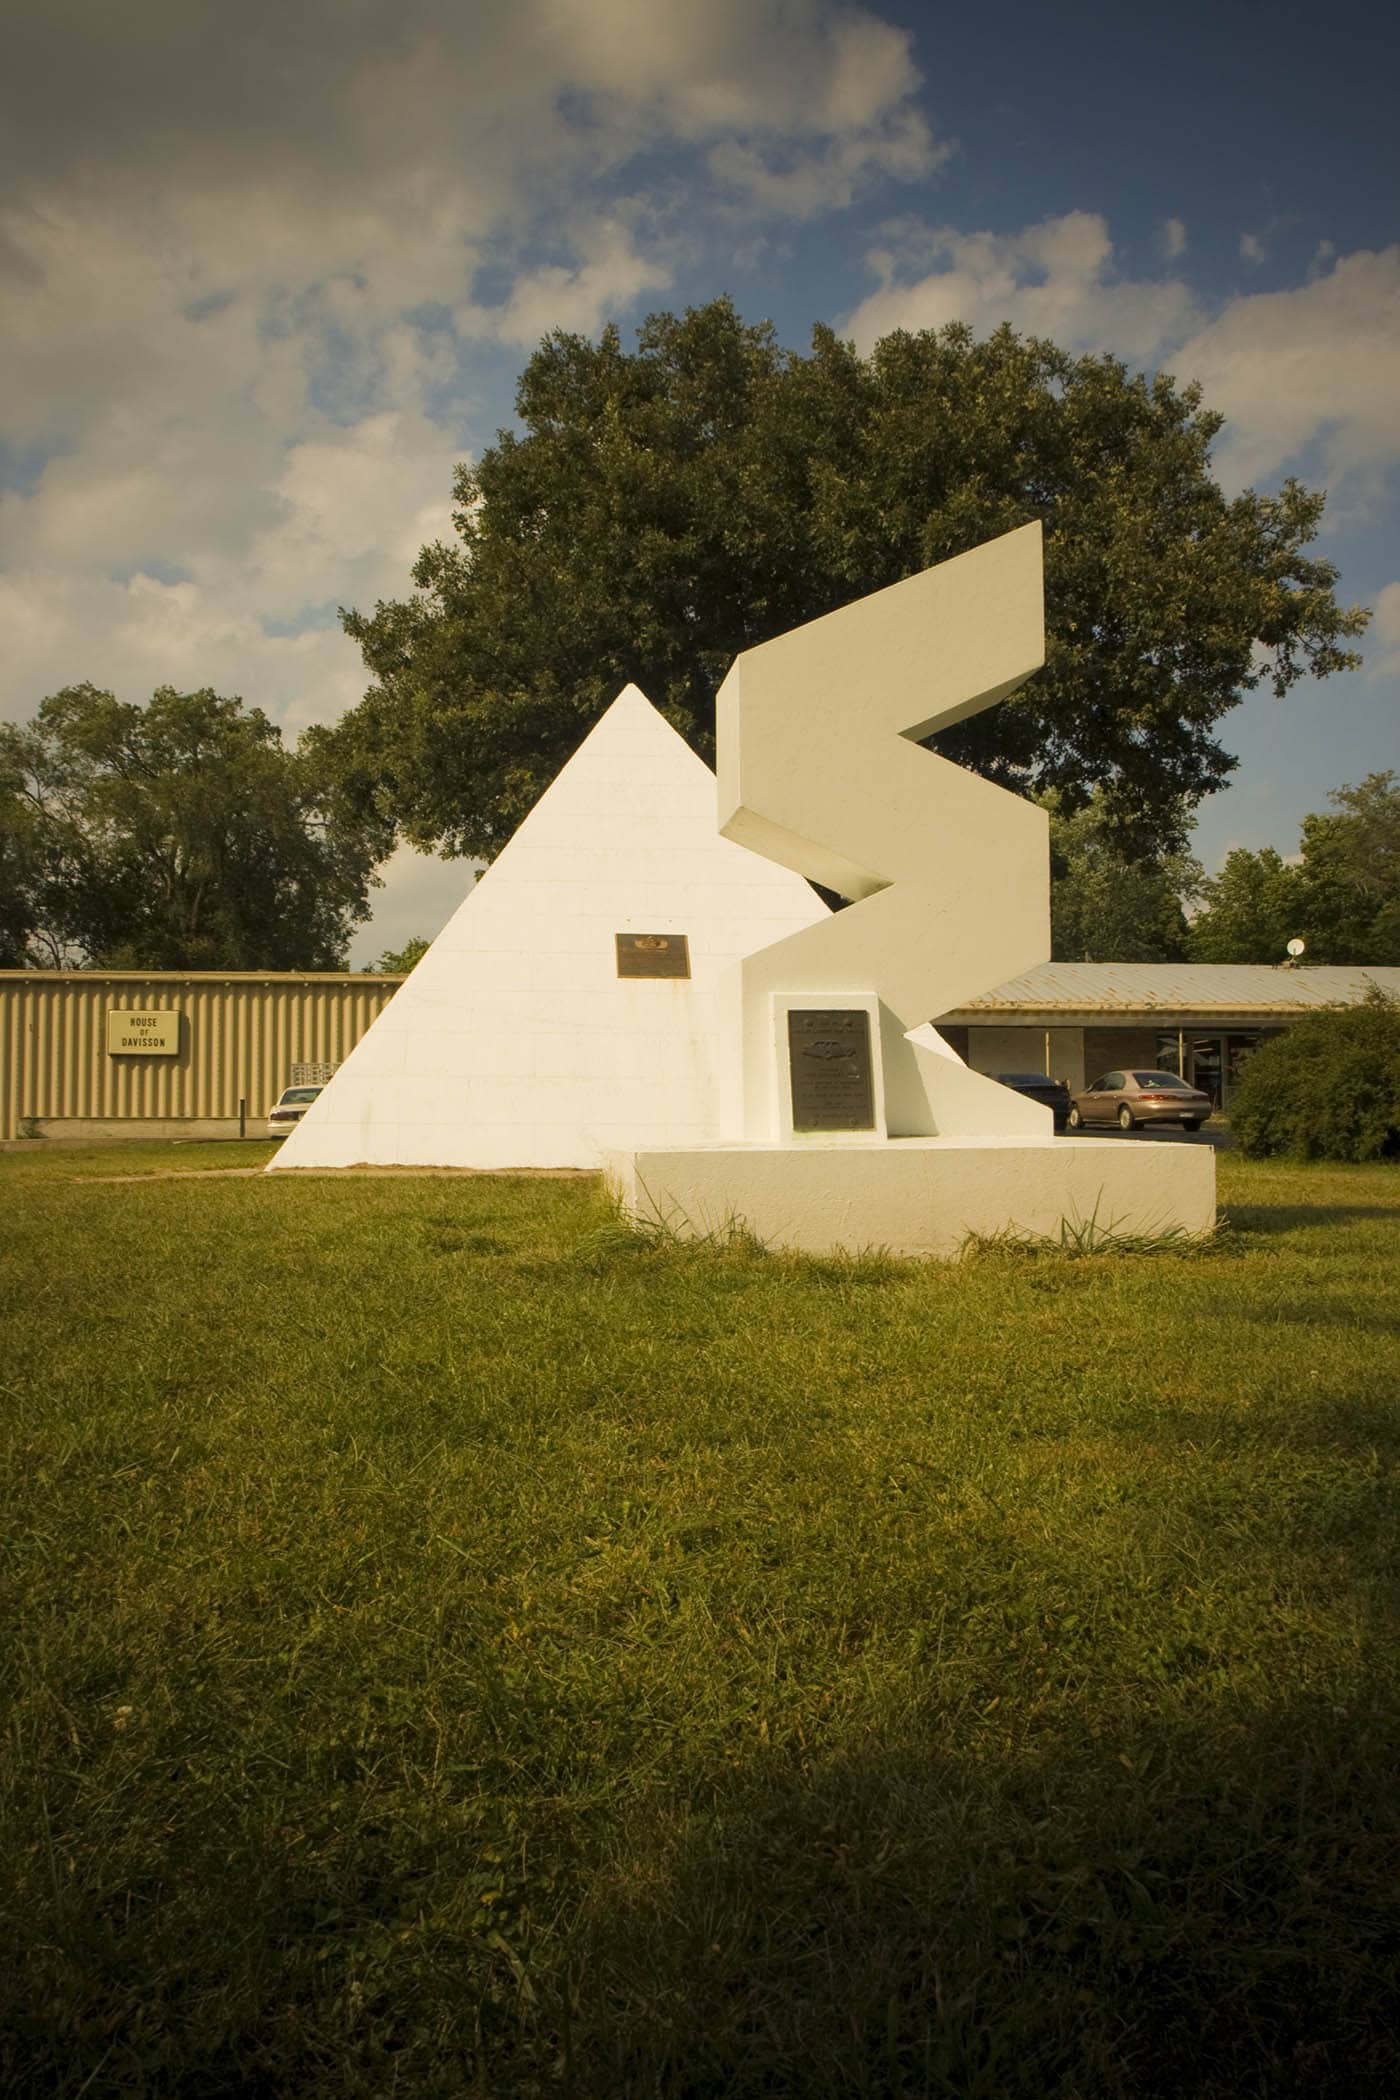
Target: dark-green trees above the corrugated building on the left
column 173, row 837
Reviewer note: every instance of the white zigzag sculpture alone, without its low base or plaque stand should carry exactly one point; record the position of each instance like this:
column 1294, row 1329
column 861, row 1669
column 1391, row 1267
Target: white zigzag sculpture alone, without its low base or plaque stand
column 950, row 877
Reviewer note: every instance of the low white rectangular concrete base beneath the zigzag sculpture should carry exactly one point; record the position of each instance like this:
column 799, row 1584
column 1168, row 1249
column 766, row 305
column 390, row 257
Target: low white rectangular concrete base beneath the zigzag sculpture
column 918, row 1196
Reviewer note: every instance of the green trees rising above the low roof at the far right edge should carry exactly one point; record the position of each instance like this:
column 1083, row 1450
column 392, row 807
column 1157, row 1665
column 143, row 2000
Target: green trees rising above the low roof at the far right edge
column 1340, row 896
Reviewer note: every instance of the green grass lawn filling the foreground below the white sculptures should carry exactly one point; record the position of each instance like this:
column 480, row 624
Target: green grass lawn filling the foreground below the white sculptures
column 457, row 1650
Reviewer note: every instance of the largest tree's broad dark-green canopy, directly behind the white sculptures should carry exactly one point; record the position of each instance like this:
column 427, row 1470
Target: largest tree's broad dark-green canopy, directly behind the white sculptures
column 669, row 507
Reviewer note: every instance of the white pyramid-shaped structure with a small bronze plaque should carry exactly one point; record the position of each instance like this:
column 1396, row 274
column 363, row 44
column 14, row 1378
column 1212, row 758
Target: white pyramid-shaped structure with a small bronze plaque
column 517, row 1043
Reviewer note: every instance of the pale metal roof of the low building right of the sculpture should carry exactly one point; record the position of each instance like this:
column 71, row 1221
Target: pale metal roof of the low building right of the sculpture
column 1189, row 988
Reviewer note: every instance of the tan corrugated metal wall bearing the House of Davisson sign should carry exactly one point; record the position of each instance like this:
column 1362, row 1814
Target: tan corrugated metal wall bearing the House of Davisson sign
column 240, row 1034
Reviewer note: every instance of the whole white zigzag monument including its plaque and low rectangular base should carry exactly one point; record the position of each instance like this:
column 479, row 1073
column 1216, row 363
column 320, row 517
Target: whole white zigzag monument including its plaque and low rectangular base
column 847, row 1120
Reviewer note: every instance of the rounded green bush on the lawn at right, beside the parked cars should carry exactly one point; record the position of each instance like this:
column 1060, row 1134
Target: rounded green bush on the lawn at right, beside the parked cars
column 1325, row 1091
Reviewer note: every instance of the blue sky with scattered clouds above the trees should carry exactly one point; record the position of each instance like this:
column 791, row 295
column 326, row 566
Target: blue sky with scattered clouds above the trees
column 272, row 272
